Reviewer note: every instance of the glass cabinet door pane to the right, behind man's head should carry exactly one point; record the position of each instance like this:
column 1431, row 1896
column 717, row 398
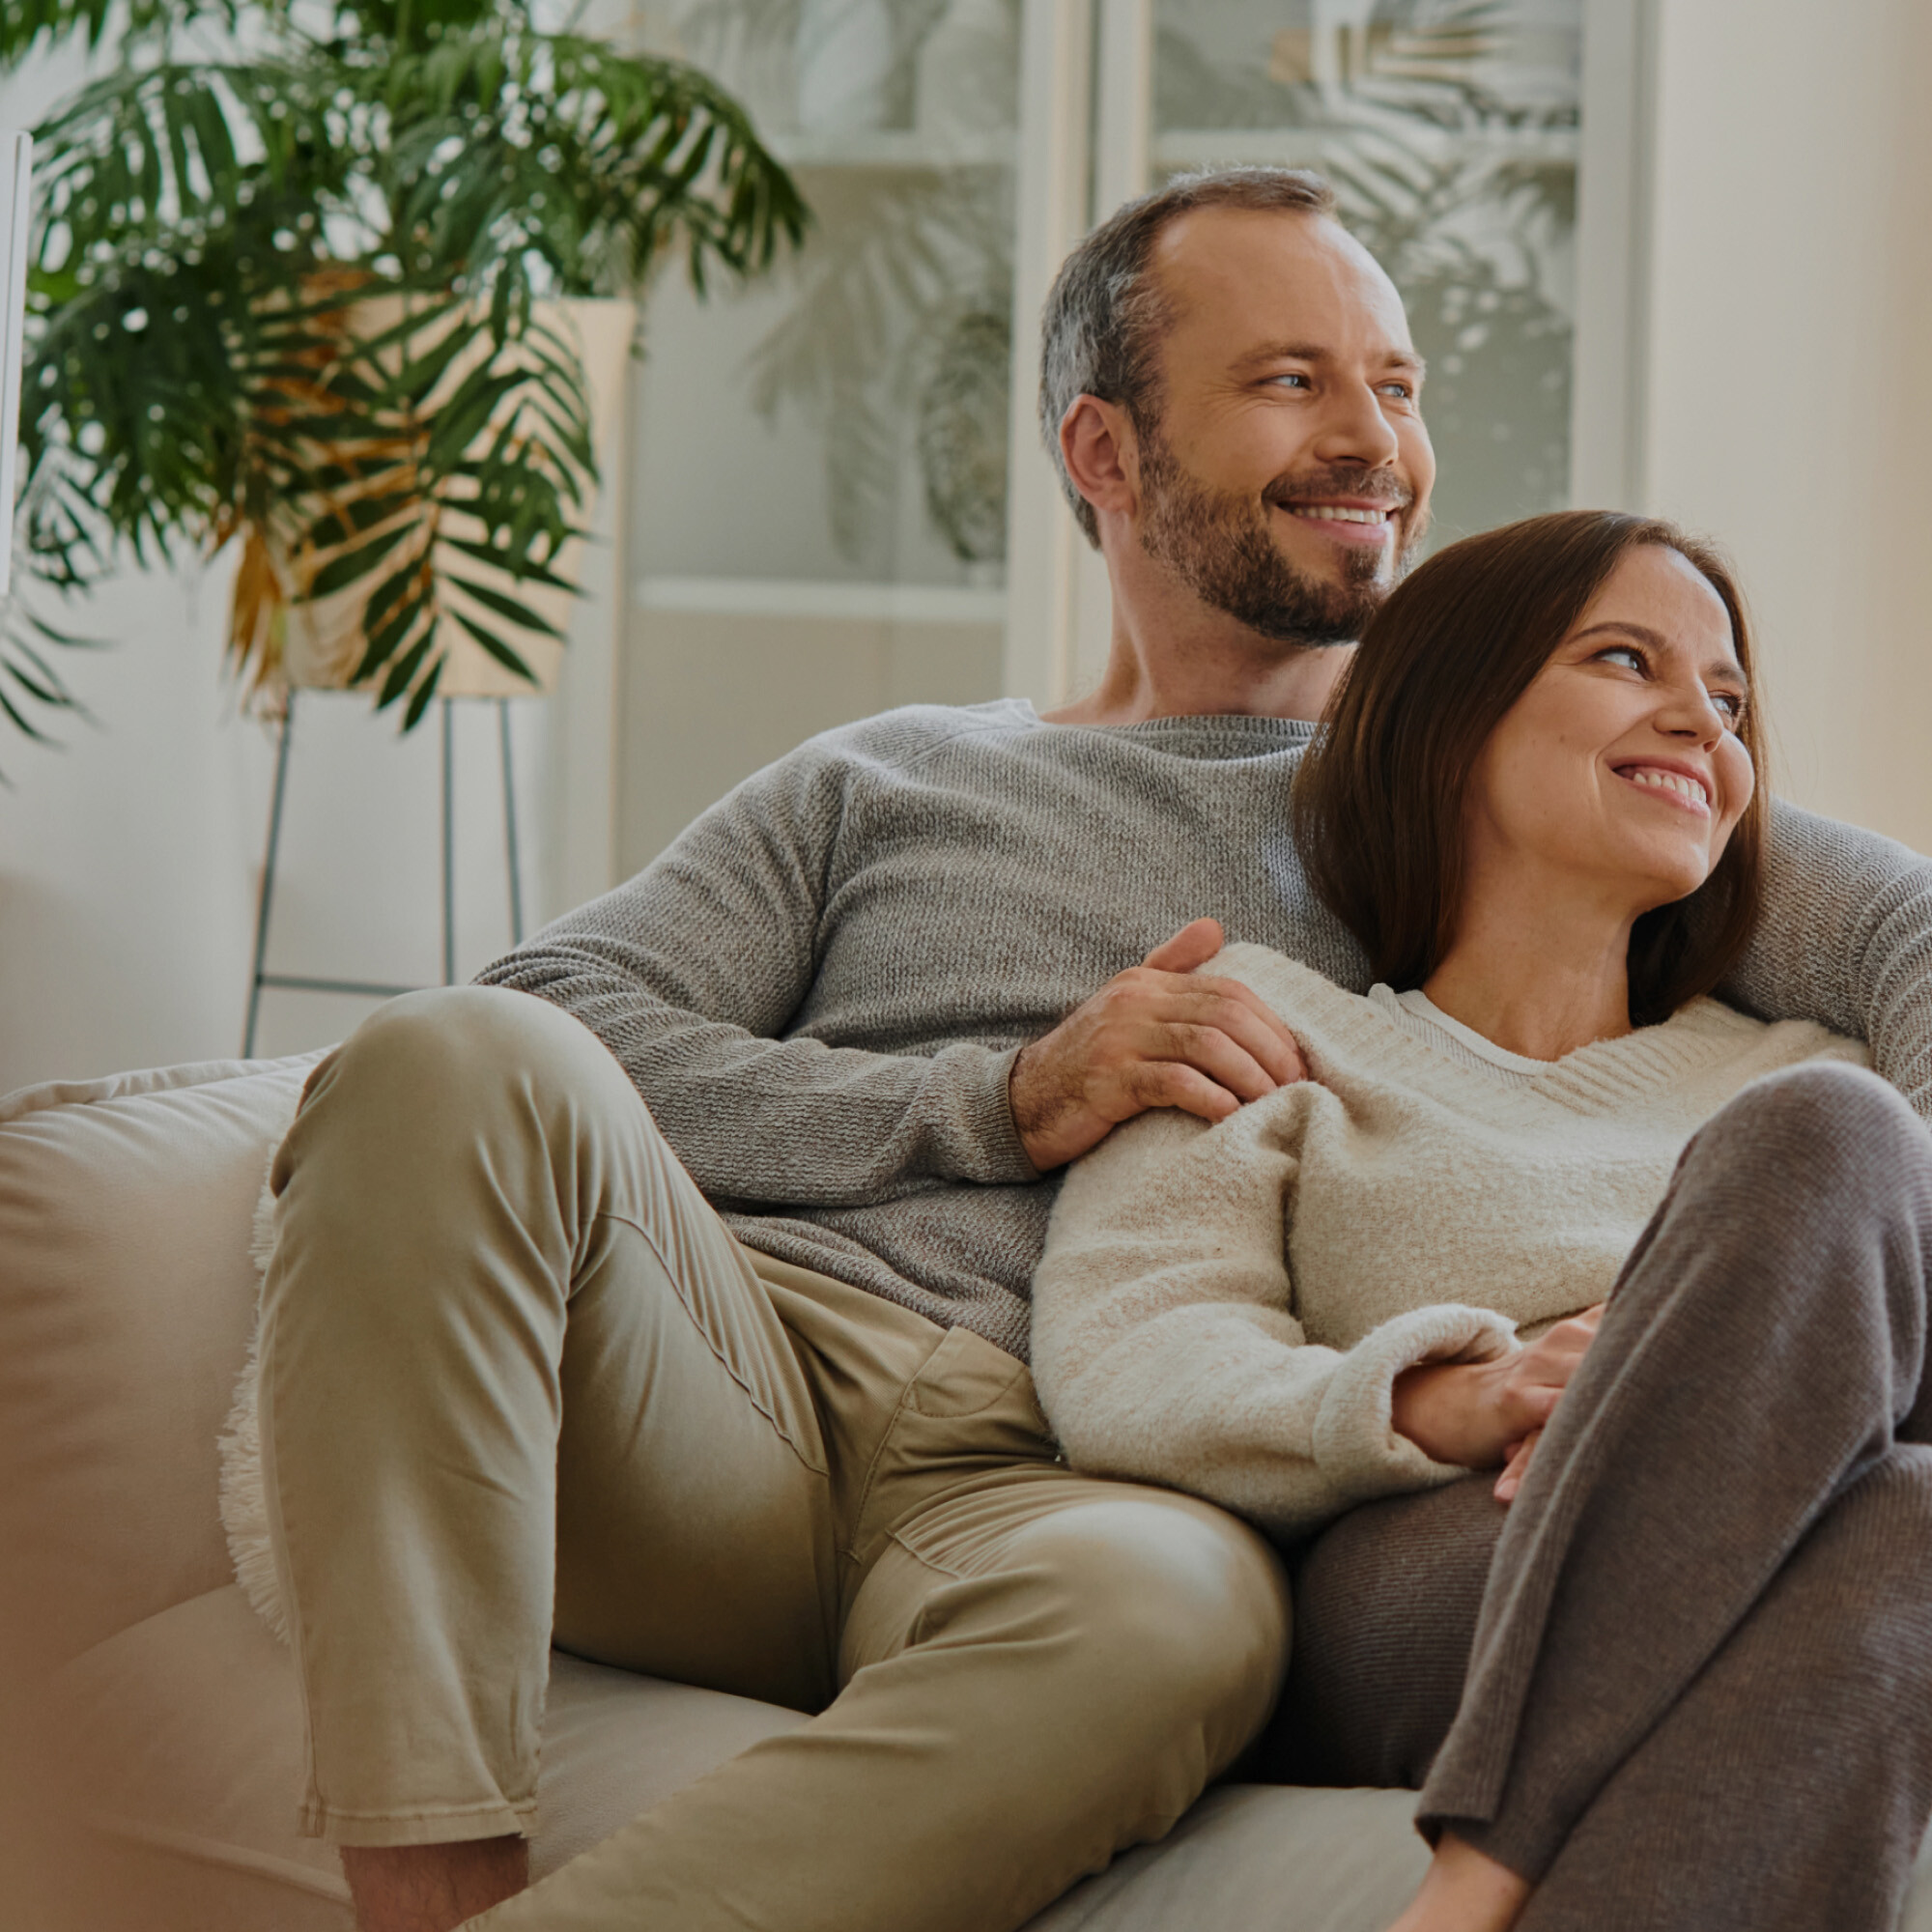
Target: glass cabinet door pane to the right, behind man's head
column 1452, row 138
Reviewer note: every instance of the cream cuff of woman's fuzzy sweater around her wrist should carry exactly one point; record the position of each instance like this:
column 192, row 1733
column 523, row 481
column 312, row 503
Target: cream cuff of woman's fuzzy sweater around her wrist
column 1355, row 1438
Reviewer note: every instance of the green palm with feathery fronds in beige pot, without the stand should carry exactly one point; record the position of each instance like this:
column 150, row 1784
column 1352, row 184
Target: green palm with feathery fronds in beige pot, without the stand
column 297, row 289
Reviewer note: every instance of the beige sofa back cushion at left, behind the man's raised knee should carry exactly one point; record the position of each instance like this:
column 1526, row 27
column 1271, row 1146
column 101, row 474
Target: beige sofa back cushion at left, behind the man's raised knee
column 127, row 1301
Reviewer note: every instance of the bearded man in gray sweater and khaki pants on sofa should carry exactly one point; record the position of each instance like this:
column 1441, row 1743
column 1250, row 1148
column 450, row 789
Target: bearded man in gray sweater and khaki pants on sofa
column 521, row 1380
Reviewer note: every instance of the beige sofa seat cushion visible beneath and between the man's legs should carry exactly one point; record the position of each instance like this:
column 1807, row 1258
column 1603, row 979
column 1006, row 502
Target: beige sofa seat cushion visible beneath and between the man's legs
column 190, row 1736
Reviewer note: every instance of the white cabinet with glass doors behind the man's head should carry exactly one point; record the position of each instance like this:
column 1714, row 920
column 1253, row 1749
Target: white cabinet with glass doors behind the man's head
column 838, row 496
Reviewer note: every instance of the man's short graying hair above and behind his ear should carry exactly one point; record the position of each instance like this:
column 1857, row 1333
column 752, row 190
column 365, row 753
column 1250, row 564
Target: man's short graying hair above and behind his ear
column 1104, row 318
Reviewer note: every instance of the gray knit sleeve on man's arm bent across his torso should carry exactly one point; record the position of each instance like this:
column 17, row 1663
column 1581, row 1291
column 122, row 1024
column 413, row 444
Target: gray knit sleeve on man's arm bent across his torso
column 691, row 971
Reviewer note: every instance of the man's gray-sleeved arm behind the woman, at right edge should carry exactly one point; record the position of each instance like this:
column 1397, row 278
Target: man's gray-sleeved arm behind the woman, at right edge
column 1846, row 940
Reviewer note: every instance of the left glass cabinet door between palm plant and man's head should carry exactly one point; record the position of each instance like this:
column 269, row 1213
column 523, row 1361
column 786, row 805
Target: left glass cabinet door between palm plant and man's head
column 818, row 497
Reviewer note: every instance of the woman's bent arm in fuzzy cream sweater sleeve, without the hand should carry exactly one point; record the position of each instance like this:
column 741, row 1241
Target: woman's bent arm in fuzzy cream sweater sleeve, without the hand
column 1164, row 1342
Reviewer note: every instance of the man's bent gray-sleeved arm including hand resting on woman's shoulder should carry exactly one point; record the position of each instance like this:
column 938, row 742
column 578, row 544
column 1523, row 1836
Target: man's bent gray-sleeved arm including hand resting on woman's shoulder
column 693, row 971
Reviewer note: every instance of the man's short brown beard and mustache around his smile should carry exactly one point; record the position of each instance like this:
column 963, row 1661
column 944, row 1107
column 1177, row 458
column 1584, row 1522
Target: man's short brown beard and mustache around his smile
column 1222, row 548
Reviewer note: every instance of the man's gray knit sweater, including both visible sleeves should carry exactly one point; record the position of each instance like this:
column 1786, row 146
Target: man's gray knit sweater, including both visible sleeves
column 822, row 986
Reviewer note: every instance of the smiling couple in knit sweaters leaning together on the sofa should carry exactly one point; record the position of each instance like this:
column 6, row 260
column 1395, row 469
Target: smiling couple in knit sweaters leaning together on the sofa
column 681, row 1313
